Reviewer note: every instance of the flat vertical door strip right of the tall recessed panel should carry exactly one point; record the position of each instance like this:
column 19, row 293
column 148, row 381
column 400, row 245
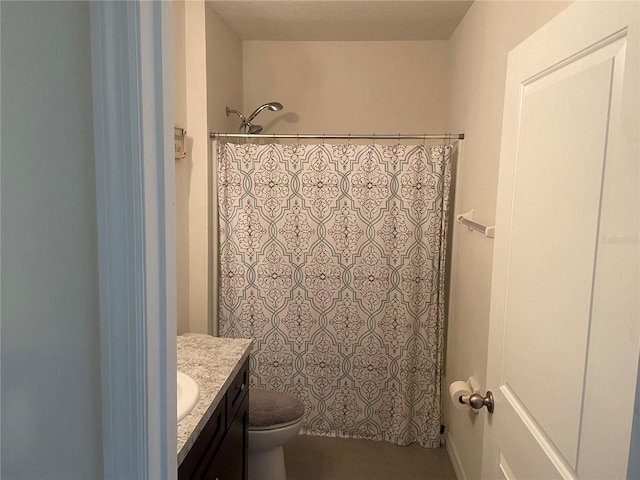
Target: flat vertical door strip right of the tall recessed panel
column 614, row 325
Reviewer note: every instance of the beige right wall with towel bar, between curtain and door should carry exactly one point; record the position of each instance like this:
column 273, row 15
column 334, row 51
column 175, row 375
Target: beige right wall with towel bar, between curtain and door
column 479, row 49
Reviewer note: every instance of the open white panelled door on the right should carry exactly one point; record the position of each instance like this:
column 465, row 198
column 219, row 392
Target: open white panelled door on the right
column 565, row 328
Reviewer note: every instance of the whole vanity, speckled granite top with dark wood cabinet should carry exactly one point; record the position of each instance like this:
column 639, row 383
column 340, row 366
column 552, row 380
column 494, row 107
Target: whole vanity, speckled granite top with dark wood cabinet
column 213, row 437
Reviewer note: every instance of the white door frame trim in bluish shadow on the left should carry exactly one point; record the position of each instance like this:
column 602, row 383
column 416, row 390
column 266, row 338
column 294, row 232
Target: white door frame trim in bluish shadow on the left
column 135, row 190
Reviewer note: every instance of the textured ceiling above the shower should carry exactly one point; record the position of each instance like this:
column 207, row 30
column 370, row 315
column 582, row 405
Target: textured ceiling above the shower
column 325, row 20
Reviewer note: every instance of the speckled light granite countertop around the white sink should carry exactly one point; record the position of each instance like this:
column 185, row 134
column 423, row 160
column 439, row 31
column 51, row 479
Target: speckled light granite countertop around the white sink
column 213, row 363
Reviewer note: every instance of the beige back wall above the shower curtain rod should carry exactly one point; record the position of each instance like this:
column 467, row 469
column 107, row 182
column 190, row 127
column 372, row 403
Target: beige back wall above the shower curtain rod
column 348, row 87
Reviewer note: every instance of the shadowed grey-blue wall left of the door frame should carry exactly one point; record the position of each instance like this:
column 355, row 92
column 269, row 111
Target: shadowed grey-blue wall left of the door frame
column 51, row 402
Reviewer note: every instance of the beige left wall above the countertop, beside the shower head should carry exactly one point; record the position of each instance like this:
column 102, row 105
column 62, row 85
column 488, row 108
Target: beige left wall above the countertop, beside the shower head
column 207, row 63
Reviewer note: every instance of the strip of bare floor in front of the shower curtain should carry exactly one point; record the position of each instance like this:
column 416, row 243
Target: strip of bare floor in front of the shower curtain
column 324, row 458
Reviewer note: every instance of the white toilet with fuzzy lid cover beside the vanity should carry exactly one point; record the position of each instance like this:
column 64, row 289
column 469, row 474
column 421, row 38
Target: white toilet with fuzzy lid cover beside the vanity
column 274, row 418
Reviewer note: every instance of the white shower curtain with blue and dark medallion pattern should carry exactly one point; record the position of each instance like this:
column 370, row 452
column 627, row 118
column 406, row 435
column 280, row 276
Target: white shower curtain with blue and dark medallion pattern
column 332, row 260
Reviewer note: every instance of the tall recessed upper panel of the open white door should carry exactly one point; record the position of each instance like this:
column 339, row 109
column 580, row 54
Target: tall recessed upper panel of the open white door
column 553, row 242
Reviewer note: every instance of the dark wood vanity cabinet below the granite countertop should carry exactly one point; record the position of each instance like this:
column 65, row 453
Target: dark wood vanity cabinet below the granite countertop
column 220, row 451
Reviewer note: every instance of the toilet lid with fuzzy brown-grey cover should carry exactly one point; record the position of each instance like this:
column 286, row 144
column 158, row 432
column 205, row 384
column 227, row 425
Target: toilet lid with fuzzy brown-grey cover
column 269, row 409
